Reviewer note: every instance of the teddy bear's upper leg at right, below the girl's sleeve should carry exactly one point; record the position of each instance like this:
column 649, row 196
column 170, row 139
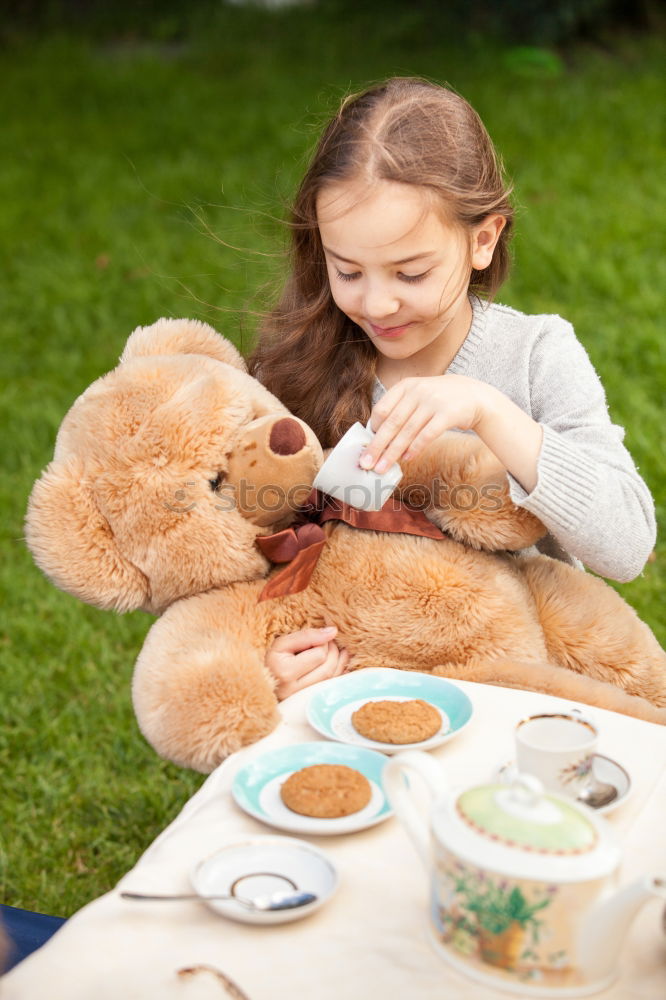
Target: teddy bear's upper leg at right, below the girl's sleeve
column 591, row 630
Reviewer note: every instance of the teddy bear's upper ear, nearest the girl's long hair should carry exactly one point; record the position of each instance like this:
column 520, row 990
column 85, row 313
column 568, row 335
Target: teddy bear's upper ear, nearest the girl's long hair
column 181, row 336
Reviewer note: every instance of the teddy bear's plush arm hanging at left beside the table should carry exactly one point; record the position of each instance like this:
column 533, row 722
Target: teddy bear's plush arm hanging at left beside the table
column 200, row 688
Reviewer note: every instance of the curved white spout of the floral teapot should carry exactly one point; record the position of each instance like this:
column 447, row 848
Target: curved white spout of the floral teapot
column 605, row 928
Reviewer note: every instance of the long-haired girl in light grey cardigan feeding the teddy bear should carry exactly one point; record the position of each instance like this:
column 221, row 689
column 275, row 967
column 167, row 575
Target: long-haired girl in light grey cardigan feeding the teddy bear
column 401, row 228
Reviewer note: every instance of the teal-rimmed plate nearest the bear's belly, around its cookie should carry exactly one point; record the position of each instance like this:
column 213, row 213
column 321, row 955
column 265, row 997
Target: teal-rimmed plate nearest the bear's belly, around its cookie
column 333, row 702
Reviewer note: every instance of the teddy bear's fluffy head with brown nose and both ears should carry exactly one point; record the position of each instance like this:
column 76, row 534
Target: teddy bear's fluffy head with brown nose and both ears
column 165, row 471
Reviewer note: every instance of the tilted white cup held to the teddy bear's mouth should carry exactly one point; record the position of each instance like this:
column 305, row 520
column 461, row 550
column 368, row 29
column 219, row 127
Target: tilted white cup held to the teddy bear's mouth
column 342, row 477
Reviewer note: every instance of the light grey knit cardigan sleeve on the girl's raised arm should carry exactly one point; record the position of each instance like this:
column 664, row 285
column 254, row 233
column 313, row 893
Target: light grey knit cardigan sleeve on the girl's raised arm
column 589, row 493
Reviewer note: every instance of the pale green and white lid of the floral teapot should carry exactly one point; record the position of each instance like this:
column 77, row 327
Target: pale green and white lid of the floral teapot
column 520, row 815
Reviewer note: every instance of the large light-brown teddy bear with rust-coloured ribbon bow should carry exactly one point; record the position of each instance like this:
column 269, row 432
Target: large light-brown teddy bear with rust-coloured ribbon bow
column 173, row 476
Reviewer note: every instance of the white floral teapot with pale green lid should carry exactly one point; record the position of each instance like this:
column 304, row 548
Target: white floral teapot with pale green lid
column 523, row 893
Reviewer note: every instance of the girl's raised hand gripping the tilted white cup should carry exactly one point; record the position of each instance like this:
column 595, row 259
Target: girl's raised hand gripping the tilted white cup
column 413, row 413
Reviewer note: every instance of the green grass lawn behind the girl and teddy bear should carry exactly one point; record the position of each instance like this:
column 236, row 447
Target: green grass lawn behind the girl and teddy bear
column 144, row 179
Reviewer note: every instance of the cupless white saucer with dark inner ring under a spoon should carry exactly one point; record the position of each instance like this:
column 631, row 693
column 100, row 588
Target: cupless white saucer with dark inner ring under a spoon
column 257, row 866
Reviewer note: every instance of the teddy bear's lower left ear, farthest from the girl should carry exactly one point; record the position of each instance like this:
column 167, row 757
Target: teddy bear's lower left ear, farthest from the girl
column 73, row 545
